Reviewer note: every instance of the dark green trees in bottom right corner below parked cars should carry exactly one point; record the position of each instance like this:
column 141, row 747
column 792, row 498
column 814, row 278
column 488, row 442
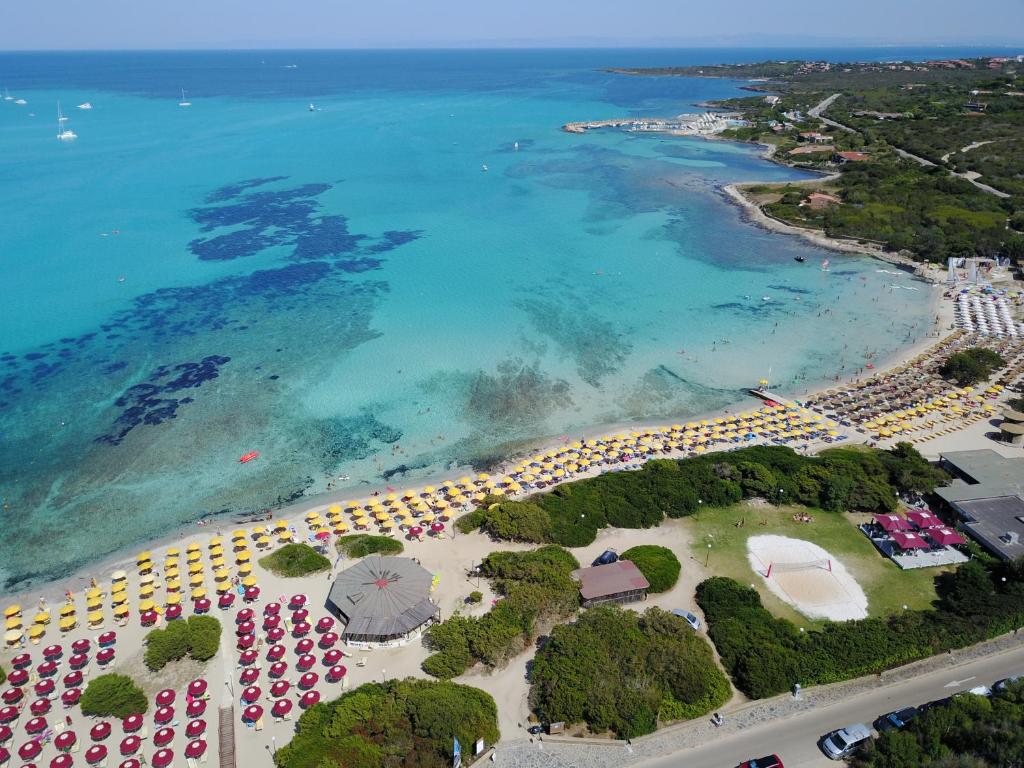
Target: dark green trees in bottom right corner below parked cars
column 967, row 731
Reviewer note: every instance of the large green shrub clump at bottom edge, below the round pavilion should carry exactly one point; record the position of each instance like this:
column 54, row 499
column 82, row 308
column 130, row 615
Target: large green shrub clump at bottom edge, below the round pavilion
column 401, row 723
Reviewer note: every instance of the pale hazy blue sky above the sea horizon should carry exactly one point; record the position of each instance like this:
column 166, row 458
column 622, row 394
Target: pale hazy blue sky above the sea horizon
column 297, row 24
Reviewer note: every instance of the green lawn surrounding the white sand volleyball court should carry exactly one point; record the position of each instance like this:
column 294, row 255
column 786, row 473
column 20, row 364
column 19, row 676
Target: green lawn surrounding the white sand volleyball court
column 887, row 587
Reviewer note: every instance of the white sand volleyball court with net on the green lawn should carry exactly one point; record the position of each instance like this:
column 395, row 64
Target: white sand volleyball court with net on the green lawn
column 815, row 591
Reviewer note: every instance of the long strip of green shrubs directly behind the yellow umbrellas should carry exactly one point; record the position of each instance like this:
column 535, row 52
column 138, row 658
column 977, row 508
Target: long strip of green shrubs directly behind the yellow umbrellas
column 837, row 480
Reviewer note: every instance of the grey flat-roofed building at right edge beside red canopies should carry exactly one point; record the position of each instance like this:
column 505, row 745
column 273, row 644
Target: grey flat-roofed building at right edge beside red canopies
column 988, row 495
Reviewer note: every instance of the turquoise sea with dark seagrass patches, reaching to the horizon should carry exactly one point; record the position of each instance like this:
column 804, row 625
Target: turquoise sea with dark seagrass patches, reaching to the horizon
column 347, row 292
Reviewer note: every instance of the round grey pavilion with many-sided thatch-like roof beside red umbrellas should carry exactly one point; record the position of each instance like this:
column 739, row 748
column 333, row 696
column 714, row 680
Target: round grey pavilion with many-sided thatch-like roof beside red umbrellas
column 383, row 600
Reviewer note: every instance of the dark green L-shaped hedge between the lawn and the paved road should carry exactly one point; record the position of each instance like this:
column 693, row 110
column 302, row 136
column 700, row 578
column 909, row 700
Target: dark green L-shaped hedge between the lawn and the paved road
column 766, row 656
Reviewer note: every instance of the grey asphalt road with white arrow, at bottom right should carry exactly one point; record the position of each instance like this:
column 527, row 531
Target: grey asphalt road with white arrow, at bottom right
column 796, row 740
